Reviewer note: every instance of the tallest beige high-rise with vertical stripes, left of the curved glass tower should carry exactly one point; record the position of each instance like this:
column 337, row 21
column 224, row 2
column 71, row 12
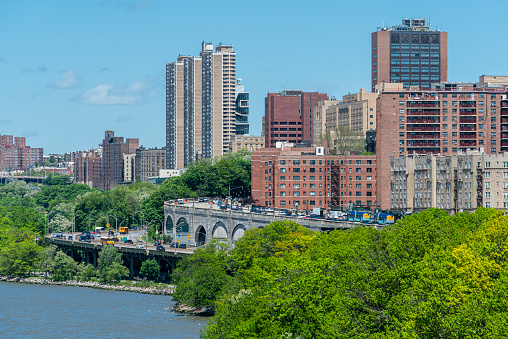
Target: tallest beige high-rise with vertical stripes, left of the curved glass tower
column 200, row 105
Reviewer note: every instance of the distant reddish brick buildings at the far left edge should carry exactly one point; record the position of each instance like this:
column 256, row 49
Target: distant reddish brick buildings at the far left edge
column 15, row 155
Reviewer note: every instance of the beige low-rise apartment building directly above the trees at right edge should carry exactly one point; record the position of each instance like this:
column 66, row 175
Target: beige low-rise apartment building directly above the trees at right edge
column 455, row 183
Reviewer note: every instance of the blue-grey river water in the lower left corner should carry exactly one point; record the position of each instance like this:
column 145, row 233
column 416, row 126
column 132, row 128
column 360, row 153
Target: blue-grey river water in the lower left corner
column 53, row 311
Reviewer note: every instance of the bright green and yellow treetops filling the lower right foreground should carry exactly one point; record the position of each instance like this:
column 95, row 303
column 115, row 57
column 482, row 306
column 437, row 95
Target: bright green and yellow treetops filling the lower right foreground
column 430, row 275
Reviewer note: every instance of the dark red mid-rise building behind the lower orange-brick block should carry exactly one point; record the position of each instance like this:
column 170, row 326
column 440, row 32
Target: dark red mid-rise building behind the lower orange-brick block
column 289, row 116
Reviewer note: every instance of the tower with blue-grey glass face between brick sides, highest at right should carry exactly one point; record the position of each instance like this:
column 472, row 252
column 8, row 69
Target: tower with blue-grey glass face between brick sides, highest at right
column 410, row 54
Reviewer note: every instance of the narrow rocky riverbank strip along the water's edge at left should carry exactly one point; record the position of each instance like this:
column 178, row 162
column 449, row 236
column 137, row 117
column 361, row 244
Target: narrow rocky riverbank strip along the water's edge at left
column 92, row 284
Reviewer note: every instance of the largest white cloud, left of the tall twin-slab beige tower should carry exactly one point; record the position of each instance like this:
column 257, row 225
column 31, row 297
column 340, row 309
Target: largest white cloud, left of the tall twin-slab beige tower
column 107, row 94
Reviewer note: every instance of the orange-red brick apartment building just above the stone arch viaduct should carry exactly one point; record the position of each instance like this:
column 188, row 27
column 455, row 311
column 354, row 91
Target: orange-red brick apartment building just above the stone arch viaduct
column 304, row 178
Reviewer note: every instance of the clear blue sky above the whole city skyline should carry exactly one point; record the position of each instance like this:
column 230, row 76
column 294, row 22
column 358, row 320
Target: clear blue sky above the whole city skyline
column 69, row 70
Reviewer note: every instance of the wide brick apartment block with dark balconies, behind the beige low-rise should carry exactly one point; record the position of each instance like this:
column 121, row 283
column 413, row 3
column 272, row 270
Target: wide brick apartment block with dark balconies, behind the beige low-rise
column 446, row 119
